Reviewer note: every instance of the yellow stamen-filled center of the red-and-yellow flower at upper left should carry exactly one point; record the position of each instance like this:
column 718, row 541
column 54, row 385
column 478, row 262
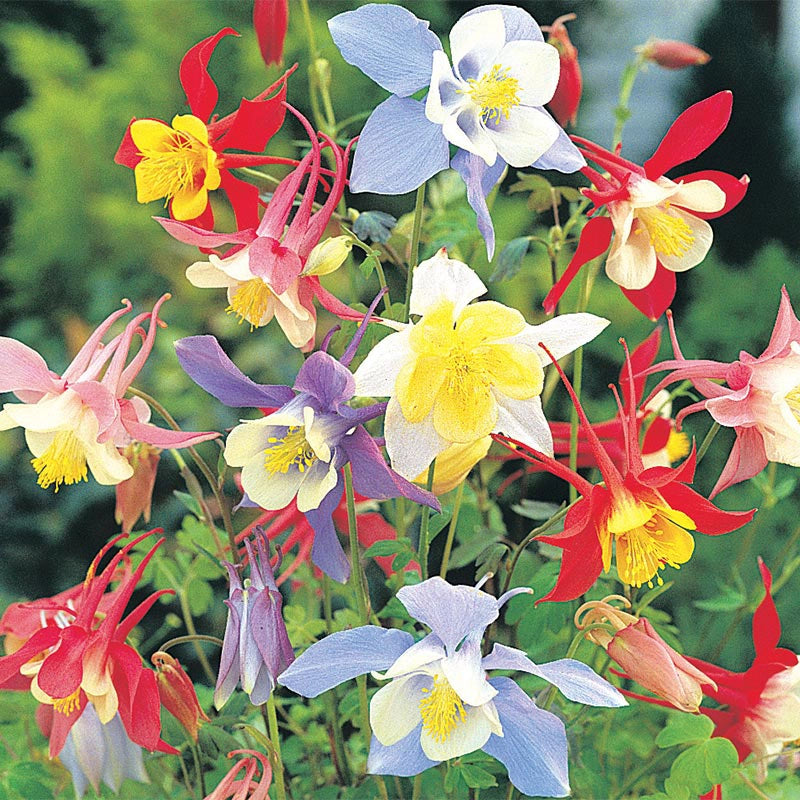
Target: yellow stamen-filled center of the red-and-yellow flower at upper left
column 179, row 163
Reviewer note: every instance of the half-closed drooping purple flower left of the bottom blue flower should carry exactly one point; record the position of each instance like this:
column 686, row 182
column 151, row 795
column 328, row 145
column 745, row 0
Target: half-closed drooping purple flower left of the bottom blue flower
column 256, row 647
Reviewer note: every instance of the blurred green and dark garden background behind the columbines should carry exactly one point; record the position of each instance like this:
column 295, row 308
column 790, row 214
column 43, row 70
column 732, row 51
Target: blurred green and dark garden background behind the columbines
column 73, row 240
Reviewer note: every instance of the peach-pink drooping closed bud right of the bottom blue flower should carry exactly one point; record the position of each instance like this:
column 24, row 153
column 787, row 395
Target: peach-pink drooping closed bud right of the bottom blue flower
column 644, row 656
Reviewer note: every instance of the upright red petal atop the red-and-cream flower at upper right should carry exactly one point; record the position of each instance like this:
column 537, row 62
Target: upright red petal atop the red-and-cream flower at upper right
column 696, row 129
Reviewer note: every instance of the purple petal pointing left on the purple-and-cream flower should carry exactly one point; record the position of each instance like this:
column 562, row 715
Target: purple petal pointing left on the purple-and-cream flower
column 206, row 363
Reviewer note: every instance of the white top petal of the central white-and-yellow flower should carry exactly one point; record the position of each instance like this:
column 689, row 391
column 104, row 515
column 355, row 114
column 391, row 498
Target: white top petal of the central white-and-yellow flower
column 441, row 278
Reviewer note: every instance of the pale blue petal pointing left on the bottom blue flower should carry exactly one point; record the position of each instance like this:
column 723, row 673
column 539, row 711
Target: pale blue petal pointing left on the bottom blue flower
column 344, row 655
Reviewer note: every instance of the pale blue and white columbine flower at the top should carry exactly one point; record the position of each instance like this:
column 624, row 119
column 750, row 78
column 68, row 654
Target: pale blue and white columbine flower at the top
column 488, row 104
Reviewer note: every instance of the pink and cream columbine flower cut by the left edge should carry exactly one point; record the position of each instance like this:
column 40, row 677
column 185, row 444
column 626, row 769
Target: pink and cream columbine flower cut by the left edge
column 79, row 420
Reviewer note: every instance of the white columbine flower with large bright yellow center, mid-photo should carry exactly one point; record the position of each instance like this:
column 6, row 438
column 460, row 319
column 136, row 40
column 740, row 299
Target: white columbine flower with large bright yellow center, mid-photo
column 463, row 371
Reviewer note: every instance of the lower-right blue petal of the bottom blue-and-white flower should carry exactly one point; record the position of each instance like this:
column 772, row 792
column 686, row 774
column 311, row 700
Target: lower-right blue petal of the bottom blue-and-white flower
column 533, row 747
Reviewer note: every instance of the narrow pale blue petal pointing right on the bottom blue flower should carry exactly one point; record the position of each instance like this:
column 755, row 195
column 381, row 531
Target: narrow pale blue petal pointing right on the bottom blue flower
column 575, row 680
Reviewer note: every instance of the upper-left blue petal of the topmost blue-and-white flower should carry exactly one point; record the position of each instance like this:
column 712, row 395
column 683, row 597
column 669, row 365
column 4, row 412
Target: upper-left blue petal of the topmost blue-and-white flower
column 388, row 44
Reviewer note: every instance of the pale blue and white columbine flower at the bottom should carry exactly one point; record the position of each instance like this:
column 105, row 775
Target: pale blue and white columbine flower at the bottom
column 438, row 703
